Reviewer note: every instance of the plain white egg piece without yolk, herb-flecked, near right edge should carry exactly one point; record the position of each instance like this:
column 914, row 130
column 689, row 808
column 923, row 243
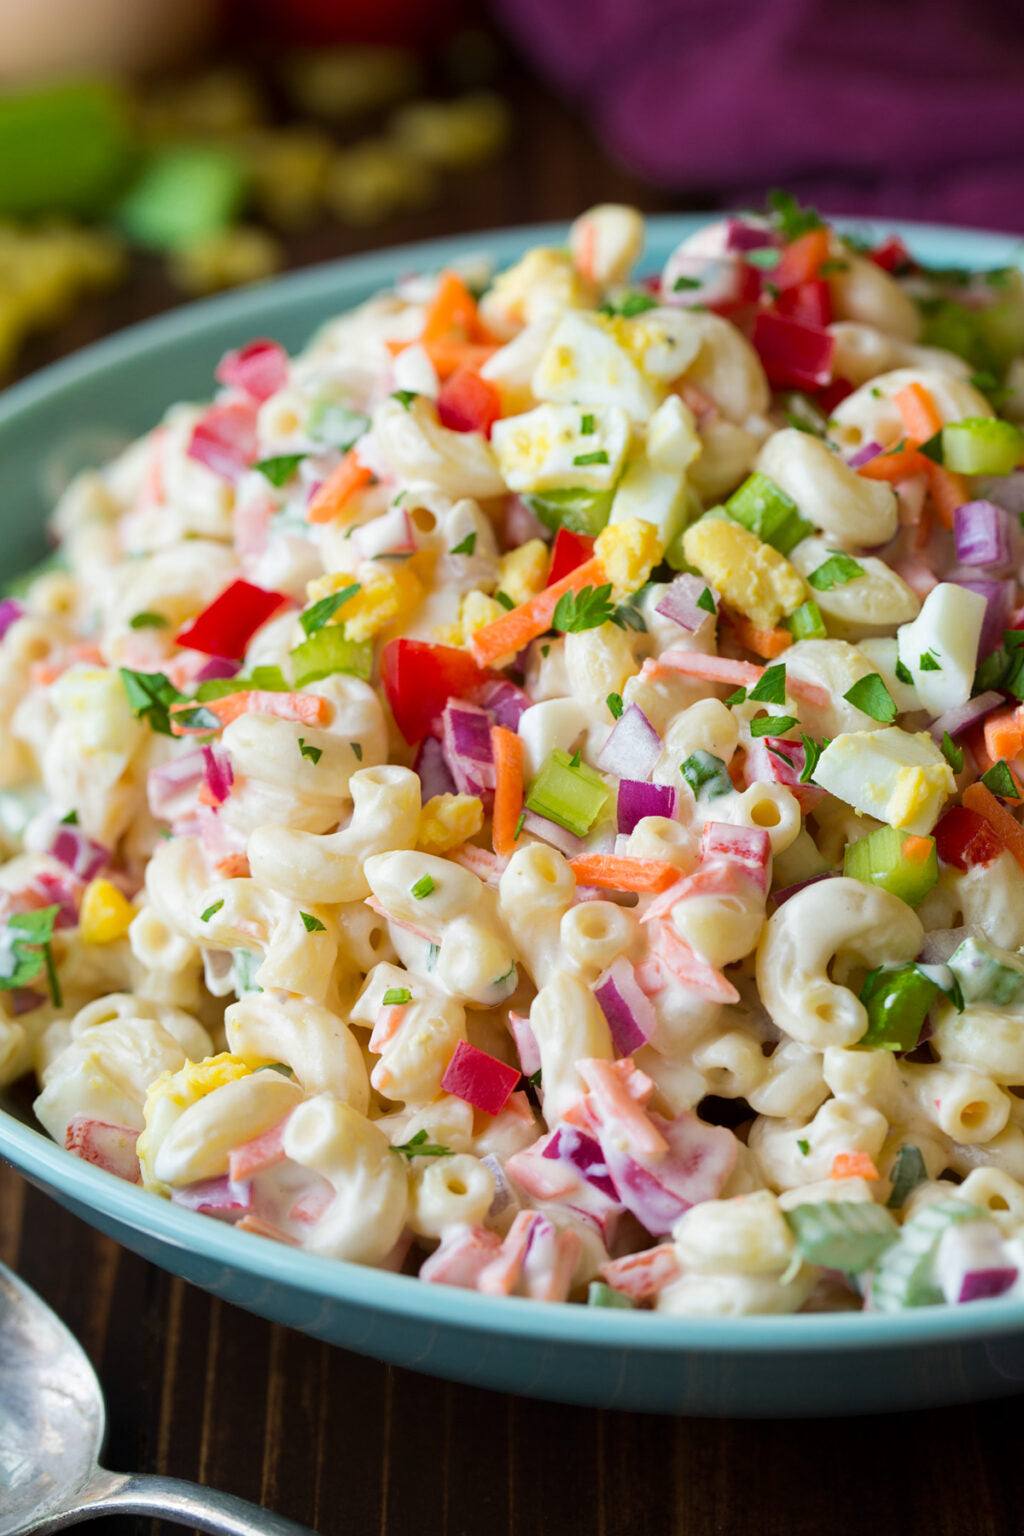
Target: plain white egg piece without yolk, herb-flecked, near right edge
column 940, row 647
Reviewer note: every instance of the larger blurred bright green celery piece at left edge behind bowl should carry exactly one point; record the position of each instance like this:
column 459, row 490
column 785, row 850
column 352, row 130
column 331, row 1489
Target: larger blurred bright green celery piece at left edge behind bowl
column 65, row 148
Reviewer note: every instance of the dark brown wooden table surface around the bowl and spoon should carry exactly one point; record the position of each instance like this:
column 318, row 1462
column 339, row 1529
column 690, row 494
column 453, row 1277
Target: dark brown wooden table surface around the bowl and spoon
column 202, row 1391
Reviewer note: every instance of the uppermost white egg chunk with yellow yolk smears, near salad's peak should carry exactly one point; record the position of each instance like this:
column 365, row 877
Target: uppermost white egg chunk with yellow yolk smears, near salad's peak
column 586, row 363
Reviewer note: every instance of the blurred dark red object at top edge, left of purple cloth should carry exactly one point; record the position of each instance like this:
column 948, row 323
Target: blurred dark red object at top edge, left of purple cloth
column 326, row 22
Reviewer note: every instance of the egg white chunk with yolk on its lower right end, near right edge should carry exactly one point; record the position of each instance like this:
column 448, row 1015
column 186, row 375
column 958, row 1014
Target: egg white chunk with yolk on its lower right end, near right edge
column 893, row 775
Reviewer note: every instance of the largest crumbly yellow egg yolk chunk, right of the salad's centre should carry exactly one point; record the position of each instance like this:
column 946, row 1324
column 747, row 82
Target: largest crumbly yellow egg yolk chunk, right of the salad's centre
column 751, row 577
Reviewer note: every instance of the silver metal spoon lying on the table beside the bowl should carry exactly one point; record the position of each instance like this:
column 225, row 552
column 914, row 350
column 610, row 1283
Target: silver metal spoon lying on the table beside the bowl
column 51, row 1435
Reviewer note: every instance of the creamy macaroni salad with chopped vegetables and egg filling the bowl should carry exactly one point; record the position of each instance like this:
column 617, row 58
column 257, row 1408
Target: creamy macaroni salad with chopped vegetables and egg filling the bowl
column 527, row 792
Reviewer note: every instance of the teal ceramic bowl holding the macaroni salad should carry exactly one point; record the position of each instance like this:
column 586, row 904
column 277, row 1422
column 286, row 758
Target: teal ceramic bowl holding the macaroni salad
column 79, row 412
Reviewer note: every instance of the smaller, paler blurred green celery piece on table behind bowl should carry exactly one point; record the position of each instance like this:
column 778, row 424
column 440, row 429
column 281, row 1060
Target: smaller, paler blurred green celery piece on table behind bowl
column 185, row 193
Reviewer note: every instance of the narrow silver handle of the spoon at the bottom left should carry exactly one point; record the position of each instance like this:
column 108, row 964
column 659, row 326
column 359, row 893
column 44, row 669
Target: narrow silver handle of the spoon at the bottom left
column 173, row 1500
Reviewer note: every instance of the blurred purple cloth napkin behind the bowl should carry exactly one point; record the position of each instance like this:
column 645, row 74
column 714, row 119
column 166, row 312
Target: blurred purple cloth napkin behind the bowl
column 908, row 108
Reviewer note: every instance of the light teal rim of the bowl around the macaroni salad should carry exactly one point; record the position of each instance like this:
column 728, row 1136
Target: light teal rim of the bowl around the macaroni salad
column 339, row 1282
